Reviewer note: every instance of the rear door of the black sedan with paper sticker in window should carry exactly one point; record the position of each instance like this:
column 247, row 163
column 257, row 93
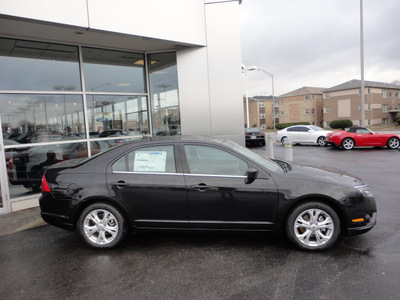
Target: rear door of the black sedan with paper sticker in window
column 150, row 183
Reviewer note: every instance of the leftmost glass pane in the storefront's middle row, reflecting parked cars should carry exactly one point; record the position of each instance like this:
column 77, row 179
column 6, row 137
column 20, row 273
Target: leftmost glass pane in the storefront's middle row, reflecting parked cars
column 28, row 118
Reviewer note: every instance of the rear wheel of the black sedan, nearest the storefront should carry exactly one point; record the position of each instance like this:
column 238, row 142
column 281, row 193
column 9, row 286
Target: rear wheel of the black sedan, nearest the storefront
column 101, row 226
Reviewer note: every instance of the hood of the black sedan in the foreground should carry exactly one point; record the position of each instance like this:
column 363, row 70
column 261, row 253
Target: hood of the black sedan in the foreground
column 324, row 174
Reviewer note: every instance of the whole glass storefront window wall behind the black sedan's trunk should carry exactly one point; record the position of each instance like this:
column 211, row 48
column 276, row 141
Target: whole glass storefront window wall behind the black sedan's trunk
column 42, row 104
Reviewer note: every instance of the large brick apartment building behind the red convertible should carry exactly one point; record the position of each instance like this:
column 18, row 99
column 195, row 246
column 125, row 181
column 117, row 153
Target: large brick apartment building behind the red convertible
column 381, row 103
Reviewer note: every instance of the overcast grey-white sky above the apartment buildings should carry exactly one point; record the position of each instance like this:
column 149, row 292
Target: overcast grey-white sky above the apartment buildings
column 316, row 43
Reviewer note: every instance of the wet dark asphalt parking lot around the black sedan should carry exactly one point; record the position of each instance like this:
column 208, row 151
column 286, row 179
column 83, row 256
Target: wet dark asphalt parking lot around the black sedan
column 50, row 263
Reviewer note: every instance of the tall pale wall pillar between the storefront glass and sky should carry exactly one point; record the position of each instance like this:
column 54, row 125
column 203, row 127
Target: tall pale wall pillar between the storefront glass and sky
column 210, row 81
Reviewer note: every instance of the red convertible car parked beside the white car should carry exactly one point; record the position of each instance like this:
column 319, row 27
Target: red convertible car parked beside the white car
column 362, row 137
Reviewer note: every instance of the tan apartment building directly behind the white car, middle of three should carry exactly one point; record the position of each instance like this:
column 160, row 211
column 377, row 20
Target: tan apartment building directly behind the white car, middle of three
column 302, row 105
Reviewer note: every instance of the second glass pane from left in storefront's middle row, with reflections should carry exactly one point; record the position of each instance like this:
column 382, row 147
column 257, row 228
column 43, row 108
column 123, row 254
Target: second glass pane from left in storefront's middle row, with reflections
column 117, row 115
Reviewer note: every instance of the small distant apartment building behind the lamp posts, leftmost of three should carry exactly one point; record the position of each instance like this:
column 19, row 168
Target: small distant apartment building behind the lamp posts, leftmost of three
column 260, row 112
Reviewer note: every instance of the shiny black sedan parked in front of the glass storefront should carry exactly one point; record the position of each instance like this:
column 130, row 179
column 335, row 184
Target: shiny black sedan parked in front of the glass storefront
column 187, row 183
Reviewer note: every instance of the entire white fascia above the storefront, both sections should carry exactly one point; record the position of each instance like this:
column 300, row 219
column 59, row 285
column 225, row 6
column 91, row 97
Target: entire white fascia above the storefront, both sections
column 173, row 20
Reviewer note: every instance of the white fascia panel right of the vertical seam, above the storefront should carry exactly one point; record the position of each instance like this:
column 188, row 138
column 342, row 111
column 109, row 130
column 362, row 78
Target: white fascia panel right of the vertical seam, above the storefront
column 174, row 20
